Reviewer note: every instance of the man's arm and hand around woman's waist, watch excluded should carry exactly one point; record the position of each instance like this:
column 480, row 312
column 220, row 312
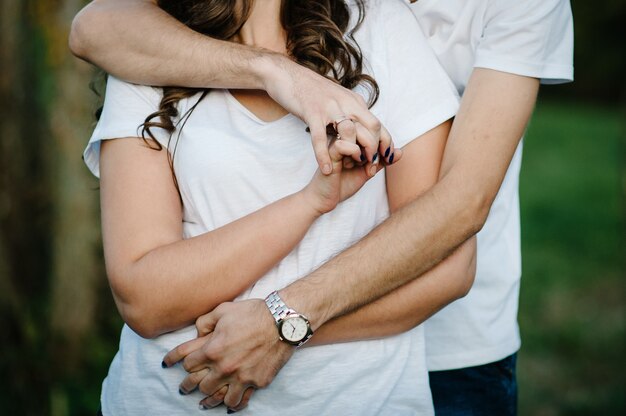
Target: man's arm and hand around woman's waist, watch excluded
column 494, row 112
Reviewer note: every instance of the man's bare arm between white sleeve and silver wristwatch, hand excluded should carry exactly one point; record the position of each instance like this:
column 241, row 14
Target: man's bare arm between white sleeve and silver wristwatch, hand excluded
column 494, row 112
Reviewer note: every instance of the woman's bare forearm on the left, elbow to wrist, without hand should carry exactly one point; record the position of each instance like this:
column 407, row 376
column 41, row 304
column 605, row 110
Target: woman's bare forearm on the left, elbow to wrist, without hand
column 172, row 285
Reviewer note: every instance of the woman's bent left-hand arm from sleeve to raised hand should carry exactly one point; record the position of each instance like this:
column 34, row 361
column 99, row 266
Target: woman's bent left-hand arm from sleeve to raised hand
column 161, row 282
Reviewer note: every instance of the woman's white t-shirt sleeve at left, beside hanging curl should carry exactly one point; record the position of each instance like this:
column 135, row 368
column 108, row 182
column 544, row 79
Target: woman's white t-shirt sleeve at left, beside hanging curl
column 126, row 107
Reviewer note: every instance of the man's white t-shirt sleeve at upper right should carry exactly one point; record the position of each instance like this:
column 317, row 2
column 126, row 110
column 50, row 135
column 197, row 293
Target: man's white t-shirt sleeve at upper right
column 532, row 38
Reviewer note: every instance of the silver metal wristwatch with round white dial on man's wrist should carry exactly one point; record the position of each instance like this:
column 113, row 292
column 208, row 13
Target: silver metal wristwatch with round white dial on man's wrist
column 293, row 328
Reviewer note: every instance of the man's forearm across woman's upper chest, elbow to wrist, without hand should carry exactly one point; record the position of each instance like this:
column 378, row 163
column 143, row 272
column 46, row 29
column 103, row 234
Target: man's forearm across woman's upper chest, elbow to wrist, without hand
column 137, row 41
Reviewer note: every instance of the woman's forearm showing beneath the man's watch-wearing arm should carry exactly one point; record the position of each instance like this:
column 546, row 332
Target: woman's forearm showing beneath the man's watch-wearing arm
column 409, row 305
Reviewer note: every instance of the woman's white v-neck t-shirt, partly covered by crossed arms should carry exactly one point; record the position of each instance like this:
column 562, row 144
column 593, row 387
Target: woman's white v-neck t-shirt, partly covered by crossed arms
column 229, row 164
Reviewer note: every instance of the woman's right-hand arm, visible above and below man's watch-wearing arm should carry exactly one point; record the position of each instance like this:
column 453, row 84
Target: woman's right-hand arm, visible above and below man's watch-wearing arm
column 413, row 303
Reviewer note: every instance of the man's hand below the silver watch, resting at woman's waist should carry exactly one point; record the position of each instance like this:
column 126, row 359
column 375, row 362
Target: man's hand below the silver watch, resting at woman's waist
column 237, row 350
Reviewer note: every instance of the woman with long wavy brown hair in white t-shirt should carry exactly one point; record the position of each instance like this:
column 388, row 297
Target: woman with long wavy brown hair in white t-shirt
column 243, row 216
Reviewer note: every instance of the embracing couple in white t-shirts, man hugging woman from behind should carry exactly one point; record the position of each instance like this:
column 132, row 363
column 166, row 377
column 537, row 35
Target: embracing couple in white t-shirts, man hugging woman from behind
column 258, row 276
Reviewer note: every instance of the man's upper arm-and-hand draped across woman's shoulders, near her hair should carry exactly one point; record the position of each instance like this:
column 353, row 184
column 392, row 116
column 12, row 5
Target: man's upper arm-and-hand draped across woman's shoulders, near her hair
column 137, row 41
